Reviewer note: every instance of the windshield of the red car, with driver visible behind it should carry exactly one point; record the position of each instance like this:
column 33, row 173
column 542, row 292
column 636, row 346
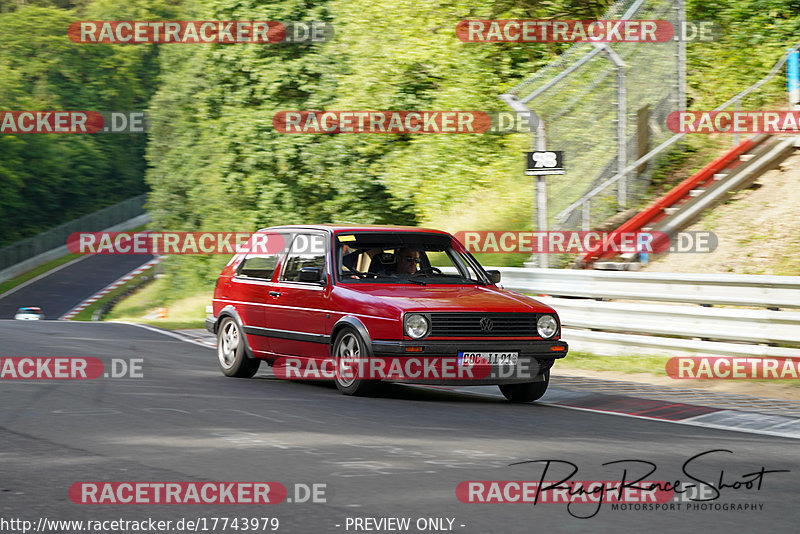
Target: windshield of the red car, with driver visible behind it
column 403, row 258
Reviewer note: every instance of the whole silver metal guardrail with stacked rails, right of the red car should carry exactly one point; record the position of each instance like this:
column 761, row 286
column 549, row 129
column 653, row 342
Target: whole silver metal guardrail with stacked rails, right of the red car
column 603, row 327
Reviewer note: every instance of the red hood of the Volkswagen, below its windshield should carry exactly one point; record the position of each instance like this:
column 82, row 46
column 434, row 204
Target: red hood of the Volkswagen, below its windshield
column 452, row 298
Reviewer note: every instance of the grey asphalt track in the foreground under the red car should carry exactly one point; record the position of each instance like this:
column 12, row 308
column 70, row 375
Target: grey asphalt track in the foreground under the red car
column 401, row 454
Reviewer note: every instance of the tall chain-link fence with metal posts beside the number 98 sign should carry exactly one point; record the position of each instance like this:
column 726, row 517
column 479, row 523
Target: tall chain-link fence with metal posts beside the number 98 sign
column 580, row 98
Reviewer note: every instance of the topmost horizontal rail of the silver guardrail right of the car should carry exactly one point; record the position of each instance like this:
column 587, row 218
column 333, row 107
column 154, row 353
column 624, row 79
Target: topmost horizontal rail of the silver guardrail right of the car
column 761, row 291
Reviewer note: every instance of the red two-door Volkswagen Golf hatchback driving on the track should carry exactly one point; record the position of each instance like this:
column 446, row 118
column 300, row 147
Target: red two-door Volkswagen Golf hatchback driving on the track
column 362, row 305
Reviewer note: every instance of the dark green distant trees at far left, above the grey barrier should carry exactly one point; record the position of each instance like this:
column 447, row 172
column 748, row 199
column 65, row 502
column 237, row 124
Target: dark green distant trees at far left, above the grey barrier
column 48, row 179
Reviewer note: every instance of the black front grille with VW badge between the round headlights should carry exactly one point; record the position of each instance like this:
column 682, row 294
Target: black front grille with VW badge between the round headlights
column 479, row 324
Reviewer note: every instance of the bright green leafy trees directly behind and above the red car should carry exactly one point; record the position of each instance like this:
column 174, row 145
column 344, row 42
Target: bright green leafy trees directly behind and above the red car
column 217, row 163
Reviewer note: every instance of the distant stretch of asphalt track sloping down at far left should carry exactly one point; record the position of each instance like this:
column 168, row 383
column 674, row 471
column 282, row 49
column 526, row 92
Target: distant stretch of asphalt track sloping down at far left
column 64, row 288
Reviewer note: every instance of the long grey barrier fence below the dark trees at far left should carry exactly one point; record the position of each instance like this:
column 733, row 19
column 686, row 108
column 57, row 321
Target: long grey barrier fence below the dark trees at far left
column 56, row 237
